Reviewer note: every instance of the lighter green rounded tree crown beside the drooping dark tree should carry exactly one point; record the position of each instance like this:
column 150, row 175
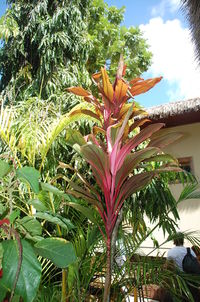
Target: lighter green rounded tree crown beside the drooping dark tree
column 110, row 39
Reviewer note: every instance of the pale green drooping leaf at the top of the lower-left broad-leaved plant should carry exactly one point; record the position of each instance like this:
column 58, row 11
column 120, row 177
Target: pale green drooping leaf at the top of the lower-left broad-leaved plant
column 30, row 175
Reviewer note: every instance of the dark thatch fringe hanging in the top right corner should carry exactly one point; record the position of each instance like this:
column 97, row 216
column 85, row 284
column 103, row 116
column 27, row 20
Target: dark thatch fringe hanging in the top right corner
column 192, row 10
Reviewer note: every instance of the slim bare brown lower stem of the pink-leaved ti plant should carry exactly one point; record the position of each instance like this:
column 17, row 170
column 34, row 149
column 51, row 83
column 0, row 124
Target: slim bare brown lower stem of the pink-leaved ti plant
column 106, row 296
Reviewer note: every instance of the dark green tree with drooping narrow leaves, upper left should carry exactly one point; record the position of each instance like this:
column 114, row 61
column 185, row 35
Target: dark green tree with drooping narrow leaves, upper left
column 50, row 48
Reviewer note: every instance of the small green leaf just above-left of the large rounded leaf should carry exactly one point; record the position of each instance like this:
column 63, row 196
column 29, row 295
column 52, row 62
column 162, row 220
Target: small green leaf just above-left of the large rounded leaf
column 31, row 225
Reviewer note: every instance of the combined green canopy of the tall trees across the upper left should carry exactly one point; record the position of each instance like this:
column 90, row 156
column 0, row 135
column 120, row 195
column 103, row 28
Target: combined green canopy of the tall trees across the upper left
column 49, row 45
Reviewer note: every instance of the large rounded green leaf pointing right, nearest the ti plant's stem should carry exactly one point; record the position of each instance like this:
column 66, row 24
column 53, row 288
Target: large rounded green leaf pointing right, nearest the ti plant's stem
column 59, row 251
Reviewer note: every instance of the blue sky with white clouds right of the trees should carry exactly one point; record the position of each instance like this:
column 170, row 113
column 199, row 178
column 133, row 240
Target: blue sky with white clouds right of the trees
column 166, row 30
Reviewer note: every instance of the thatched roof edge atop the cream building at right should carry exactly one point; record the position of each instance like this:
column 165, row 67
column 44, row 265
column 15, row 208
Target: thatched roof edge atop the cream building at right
column 176, row 113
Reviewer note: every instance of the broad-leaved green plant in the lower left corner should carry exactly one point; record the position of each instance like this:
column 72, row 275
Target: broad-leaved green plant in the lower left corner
column 26, row 236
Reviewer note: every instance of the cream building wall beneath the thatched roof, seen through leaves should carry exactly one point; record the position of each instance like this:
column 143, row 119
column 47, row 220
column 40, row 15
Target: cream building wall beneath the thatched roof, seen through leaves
column 189, row 210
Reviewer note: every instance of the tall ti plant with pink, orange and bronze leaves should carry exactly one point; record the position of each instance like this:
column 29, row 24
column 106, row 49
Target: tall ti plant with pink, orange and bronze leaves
column 114, row 150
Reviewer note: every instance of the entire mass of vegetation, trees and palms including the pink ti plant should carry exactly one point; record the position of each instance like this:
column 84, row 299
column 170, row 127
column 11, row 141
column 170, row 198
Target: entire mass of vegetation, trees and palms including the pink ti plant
column 68, row 209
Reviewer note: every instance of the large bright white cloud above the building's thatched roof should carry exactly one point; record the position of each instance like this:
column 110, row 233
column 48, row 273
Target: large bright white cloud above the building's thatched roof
column 173, row 57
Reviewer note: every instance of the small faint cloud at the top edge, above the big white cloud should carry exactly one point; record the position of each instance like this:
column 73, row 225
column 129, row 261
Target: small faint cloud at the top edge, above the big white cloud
column 164, row 6
